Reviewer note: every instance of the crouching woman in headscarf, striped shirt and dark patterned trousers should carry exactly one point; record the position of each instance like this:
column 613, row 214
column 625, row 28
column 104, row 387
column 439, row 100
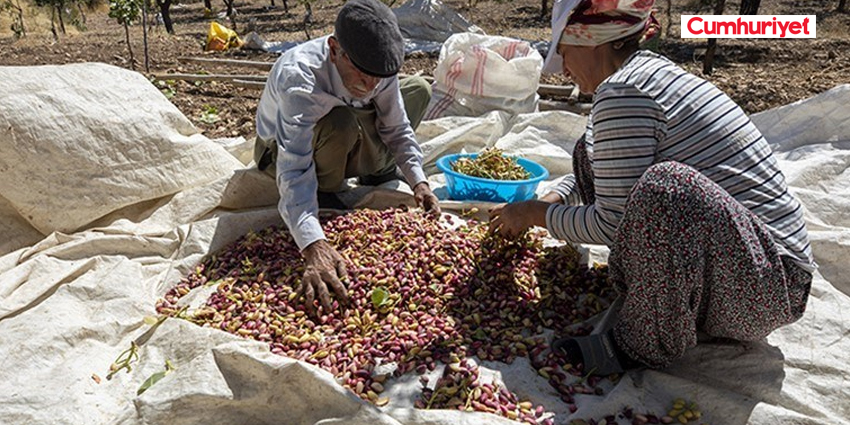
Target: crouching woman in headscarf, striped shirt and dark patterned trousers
column 683, row 188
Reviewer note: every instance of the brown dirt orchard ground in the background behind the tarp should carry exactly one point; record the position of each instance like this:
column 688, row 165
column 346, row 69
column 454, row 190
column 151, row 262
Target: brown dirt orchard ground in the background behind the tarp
column 758, row 74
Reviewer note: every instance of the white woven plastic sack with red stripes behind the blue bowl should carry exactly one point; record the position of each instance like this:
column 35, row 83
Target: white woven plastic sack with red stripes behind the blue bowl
column 477, row 74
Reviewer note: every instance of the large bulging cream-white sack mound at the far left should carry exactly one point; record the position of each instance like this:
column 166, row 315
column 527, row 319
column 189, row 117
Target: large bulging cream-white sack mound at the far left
column 82, row 140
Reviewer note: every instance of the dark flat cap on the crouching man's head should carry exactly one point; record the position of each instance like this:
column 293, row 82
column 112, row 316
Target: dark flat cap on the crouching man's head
column 368, row 32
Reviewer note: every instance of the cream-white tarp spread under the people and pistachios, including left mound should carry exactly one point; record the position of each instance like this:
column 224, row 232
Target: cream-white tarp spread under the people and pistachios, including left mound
column 75, row 284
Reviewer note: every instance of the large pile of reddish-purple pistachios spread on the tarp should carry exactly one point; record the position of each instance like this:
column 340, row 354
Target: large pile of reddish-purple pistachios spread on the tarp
column 450, row 294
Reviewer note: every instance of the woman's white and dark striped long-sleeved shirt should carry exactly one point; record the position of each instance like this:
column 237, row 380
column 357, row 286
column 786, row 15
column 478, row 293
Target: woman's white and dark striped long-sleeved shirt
column 651, row 110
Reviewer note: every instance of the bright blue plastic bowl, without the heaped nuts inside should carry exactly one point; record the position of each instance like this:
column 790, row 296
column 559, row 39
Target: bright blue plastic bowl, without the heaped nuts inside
column 467, row 188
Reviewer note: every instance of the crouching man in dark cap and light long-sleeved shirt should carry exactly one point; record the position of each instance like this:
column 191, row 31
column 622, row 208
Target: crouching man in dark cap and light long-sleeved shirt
column 334, row 108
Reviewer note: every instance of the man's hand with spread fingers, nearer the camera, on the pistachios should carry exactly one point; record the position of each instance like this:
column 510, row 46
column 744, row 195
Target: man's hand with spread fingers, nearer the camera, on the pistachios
column 324, row 266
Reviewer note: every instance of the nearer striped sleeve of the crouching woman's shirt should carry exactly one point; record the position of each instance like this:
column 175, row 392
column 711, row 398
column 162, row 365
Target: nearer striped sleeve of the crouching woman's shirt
column 627, row 128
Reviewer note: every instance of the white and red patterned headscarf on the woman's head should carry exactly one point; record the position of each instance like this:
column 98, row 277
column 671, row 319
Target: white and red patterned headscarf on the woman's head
column 596, row 22
